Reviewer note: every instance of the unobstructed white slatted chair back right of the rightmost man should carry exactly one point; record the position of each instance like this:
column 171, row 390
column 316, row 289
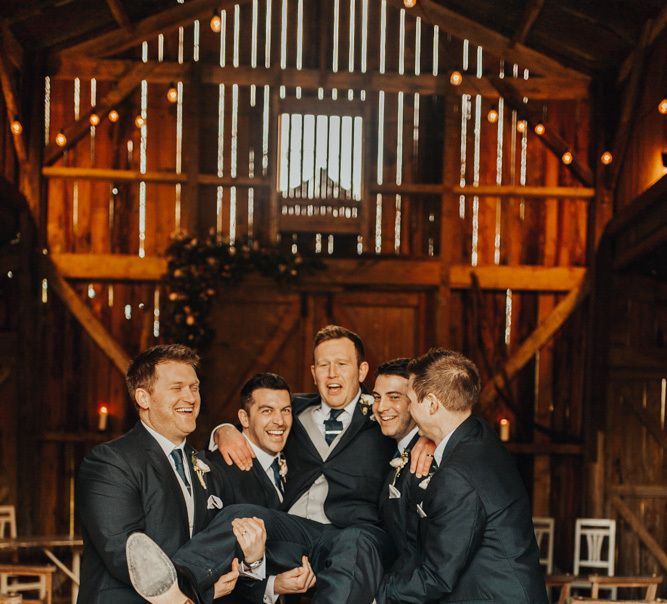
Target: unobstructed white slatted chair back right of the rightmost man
column 594, row 544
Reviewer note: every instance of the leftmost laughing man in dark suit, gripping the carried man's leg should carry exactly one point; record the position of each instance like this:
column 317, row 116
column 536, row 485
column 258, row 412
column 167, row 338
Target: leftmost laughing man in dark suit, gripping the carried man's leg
column 150, row 480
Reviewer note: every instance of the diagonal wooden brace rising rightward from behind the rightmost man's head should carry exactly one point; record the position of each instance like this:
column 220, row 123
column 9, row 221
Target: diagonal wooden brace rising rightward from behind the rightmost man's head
column 536, row 340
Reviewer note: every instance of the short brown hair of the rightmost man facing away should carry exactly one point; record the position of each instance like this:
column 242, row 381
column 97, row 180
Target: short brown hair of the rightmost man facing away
column 450, row 376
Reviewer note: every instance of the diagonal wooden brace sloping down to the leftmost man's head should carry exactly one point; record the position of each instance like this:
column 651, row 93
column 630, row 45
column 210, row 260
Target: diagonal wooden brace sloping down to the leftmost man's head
column 84, row 315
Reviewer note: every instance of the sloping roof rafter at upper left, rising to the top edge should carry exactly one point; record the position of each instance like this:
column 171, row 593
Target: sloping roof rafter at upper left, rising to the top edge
column 163, row 22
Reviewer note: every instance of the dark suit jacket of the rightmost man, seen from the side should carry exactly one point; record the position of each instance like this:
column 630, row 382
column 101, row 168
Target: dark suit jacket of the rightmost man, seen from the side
column 476, row 541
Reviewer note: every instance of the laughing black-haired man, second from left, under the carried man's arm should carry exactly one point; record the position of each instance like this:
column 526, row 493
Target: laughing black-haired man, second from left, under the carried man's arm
column 266, row 419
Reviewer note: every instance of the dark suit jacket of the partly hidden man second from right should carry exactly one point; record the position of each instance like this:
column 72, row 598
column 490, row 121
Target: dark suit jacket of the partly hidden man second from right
column 397, row 514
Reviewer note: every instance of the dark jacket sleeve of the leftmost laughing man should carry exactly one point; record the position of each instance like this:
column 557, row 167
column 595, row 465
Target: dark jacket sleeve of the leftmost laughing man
column 110, row 507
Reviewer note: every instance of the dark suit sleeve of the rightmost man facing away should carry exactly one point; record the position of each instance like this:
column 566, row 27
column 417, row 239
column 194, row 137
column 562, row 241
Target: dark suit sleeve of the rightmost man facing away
column 453, row 532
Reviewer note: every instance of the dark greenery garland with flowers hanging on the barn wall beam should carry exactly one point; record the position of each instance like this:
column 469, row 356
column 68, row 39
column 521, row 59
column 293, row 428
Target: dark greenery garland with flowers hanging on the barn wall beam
column 198, row 269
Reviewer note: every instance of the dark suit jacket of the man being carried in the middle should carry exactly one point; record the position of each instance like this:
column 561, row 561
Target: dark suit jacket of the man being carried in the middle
column 355, row 468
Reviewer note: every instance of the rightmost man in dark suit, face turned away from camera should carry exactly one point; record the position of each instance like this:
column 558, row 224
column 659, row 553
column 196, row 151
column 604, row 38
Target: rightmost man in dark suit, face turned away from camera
column 475, row 534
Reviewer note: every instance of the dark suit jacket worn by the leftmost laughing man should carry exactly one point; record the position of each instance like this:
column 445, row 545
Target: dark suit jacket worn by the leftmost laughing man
column 124, row 486
